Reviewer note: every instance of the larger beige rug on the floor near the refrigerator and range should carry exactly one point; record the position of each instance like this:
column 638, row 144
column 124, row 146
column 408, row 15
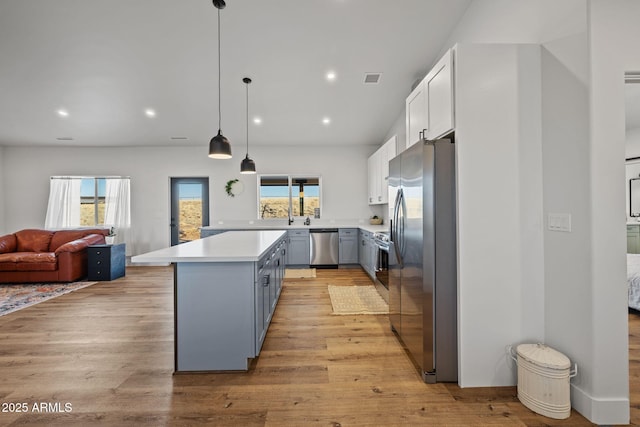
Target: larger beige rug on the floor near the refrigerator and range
column 357, row 300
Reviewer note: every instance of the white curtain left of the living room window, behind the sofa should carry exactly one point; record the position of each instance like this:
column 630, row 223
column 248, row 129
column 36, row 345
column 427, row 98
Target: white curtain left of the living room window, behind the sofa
column 63, row 210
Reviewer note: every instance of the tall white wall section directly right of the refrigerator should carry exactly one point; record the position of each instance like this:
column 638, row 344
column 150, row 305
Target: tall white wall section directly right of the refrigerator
column 499, row 181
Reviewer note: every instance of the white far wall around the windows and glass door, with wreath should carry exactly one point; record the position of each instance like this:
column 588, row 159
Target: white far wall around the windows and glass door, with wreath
column 343, row 171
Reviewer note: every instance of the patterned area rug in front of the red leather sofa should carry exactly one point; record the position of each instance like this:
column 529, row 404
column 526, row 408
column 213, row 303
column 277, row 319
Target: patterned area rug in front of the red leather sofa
column 14, row 297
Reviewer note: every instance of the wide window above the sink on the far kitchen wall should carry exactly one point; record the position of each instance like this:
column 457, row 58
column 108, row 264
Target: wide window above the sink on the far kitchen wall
column 282, row 195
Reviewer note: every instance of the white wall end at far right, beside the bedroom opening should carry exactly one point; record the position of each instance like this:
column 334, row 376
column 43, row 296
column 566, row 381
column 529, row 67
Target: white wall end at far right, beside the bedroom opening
column 613, row 36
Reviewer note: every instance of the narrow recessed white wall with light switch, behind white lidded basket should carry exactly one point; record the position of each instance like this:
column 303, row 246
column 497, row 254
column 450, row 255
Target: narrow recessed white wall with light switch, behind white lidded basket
column 568, row 297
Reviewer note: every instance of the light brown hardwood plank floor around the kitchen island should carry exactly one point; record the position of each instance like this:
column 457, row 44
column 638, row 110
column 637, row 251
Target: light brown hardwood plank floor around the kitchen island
column 107, row 350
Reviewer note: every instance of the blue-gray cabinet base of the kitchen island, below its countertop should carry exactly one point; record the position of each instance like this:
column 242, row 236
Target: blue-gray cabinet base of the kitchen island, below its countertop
column 223, row 310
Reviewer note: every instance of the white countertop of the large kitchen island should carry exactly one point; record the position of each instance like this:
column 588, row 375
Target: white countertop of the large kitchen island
column 232, row 246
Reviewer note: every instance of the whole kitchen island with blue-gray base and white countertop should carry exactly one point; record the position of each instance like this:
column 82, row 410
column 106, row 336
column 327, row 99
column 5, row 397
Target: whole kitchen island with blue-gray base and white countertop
column 225, row 291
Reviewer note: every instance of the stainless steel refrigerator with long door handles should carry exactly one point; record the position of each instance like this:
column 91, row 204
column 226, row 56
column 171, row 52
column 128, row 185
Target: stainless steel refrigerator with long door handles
column 422, row 257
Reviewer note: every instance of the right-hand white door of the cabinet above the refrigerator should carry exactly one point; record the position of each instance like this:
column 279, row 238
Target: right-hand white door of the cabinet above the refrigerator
column 439, row 84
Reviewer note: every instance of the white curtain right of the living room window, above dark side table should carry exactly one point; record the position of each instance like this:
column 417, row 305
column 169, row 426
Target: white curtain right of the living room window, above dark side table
column 117, row 209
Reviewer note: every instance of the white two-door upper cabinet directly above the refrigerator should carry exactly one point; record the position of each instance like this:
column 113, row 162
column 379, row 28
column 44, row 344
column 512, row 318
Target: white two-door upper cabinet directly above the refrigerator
column 429, row 107
